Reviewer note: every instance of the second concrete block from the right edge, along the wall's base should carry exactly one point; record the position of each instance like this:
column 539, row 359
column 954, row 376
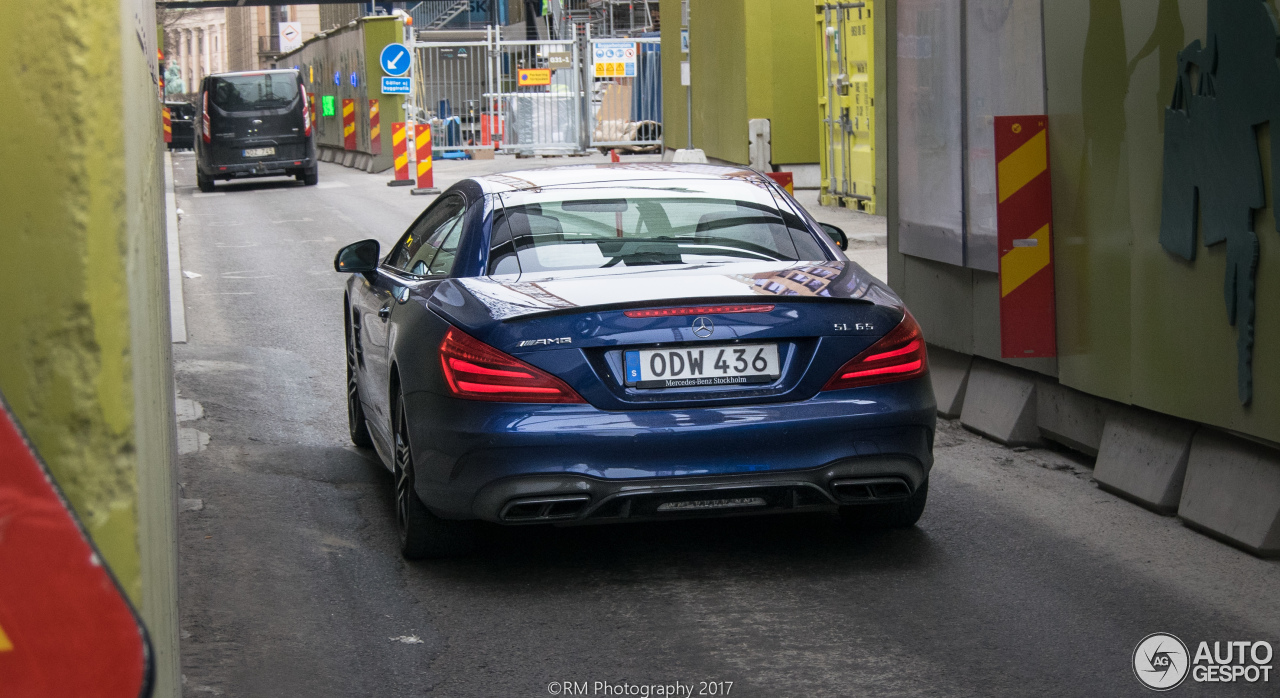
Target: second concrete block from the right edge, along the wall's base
column 1144, row 458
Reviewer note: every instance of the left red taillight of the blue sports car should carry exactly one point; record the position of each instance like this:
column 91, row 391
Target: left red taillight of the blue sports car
column 476, row 371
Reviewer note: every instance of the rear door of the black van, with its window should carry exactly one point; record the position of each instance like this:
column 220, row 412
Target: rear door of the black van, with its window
column 257, row 117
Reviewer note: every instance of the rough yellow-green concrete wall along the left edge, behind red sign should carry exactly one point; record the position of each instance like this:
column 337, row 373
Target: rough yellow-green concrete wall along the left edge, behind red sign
column 85, row 355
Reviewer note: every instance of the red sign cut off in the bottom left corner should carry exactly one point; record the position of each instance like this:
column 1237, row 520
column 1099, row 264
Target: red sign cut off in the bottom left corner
column 66, row 628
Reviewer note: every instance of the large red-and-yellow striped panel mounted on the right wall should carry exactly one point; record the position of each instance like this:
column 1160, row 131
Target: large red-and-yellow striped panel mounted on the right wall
column 1028, row 322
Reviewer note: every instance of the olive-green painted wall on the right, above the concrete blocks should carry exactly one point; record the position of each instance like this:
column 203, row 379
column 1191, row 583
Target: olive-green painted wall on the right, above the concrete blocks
column 1135, row 323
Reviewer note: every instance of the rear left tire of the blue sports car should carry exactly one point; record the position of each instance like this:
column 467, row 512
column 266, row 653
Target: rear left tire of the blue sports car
column 422, row 533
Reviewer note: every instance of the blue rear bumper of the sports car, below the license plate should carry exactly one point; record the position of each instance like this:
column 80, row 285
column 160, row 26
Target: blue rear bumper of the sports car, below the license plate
column 476, row 459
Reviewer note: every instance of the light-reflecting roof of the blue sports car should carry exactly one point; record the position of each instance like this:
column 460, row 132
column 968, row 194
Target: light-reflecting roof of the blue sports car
column 611, row 174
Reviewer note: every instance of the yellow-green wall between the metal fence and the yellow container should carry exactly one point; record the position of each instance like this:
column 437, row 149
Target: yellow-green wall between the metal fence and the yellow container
column 751, row 60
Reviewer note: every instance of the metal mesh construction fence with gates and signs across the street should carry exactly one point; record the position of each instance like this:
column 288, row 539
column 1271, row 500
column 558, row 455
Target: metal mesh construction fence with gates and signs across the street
column 529, row 98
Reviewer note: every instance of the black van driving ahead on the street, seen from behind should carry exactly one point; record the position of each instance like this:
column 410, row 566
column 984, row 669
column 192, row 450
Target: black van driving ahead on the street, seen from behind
column 254, row 125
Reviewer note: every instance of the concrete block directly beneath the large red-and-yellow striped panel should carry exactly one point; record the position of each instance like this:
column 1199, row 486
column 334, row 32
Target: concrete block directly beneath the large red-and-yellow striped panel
column 1000, row 403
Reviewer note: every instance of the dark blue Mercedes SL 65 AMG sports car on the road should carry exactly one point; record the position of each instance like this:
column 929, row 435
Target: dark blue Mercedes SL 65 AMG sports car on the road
column 624, row 343
